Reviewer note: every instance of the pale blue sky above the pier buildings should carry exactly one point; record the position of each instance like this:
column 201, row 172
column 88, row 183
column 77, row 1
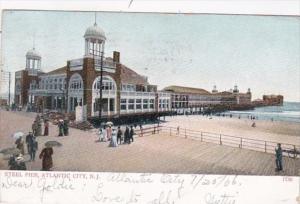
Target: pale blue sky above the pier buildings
column 199, row 50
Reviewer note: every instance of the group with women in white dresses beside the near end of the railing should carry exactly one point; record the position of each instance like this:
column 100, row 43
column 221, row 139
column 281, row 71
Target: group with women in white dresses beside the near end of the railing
column 116, row 136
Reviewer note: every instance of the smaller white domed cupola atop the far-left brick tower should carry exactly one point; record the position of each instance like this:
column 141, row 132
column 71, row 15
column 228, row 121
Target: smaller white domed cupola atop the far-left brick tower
column 33, row 61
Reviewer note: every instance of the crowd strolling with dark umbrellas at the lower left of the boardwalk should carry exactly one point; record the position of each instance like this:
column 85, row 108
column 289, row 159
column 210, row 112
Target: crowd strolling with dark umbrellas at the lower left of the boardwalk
column 17, row 161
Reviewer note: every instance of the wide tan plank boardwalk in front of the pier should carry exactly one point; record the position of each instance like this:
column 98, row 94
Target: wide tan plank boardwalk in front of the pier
column 159, row 153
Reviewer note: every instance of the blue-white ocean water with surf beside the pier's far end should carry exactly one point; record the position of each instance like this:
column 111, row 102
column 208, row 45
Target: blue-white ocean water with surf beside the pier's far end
column 290, row 112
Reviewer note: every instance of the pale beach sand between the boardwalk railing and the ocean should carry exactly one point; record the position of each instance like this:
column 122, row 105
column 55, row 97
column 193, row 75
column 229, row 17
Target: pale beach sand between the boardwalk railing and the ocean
column 277, row 131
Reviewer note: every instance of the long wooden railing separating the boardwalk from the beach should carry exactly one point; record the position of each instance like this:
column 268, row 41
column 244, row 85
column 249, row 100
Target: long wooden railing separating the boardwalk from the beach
column 290, row 150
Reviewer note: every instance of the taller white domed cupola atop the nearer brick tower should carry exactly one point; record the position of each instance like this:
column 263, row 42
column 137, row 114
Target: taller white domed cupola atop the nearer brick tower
column 94, row 41
